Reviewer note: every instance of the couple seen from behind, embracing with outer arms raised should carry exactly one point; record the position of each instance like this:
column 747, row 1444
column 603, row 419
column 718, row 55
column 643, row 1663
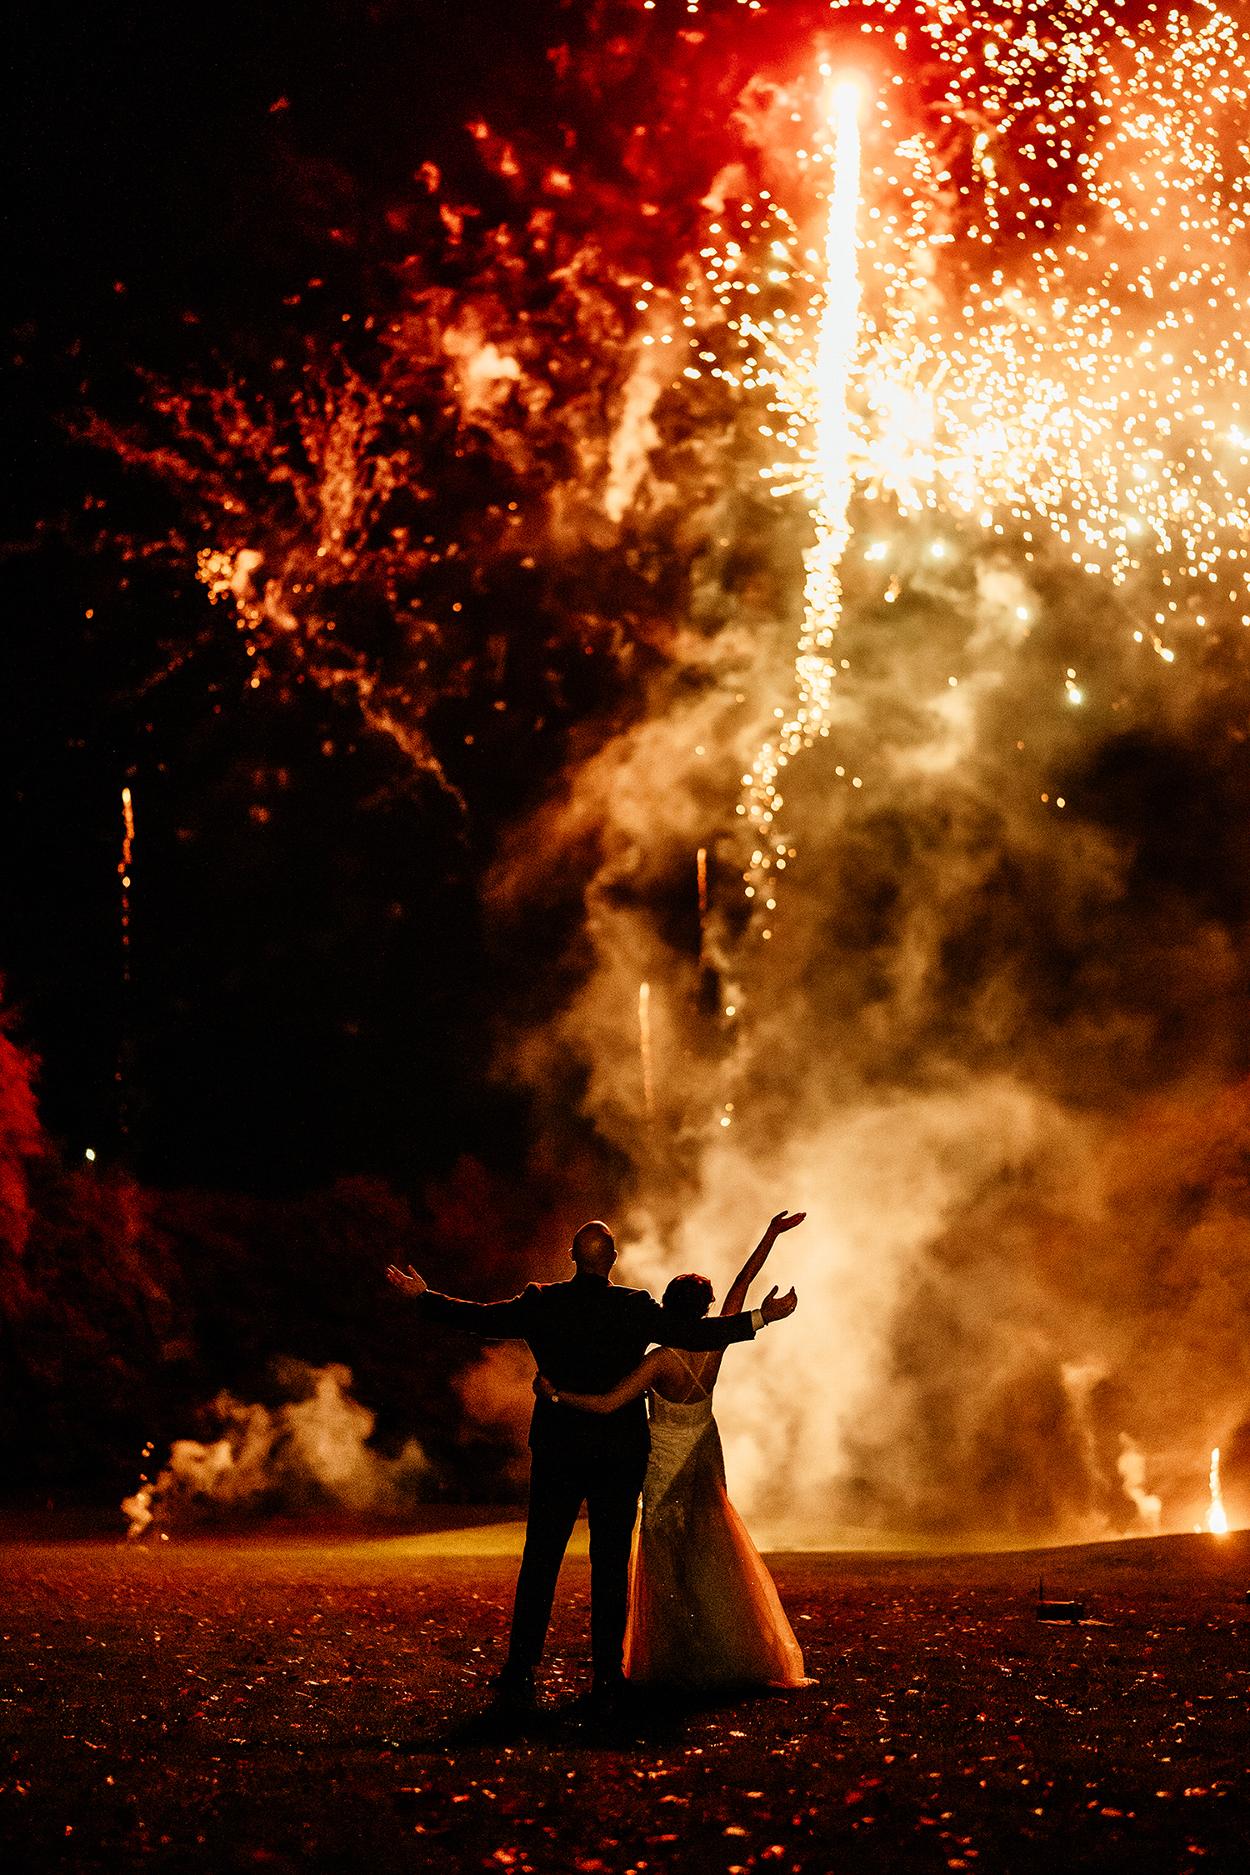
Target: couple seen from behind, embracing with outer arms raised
column 698, row 1610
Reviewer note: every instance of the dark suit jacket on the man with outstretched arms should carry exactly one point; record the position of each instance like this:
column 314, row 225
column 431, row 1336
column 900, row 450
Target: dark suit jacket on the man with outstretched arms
column 586, row 1334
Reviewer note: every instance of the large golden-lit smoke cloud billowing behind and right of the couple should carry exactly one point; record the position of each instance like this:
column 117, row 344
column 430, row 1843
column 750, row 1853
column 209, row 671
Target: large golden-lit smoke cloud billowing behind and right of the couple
column 990, row 1047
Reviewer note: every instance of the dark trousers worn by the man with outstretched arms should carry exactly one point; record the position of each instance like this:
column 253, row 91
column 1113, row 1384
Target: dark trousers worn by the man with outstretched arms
column 561, row 1482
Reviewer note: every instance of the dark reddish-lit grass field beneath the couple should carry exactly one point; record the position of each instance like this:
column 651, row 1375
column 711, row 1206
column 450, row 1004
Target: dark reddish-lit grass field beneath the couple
column 293, row 1705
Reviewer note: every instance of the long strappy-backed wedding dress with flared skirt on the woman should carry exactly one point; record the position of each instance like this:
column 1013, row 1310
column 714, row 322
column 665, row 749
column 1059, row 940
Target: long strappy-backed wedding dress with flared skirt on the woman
column 704, row 1610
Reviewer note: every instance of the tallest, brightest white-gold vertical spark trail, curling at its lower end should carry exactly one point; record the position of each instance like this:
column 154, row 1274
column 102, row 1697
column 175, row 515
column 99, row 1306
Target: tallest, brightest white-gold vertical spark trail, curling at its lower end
column 831, row 472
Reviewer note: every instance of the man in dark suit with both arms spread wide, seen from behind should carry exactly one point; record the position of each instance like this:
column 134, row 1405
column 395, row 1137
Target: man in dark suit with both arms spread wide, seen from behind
column 586, row 1334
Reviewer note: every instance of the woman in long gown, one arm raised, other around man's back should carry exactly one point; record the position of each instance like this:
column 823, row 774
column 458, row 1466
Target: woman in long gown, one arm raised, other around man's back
column 704, row 1610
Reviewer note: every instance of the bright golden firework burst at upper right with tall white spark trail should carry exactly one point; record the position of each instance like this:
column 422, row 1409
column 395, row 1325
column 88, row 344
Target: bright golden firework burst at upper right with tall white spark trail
column 1049, row 262
